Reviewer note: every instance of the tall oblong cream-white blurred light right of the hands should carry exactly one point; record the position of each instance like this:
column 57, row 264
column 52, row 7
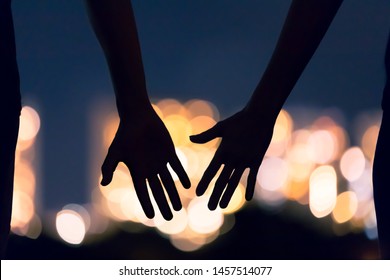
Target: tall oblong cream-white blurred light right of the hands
column 322, row 191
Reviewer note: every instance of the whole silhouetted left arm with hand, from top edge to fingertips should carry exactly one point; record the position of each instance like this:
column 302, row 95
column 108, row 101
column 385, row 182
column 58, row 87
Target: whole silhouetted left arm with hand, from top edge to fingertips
column 142, row 141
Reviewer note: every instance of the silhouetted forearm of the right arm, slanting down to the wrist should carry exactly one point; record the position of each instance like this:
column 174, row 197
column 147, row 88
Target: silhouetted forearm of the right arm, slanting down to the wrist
column 305, row 26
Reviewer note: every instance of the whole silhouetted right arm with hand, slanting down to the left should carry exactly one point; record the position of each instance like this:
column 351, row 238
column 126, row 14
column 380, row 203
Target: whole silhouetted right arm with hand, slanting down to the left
column 247, row 134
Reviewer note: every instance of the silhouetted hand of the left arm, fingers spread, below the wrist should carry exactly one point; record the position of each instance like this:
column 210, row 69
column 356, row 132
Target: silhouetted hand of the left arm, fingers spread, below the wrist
column 145, row 146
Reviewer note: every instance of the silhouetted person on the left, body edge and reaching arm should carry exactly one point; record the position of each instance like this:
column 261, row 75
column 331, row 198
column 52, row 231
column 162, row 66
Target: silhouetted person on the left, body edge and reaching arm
column 142, row 141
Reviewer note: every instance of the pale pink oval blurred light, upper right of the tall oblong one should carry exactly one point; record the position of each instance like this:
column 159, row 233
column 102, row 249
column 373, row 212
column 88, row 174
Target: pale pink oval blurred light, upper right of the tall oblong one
column 352, row 164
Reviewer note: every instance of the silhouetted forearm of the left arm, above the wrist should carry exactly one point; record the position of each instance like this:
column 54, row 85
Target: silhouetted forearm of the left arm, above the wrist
column 115, row 28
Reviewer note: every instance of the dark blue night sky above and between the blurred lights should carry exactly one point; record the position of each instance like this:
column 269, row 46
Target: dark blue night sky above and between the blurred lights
column 215, row 50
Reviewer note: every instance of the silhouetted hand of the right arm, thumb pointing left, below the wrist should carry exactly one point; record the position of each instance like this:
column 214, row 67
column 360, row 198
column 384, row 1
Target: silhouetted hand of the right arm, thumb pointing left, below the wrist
column 244, row 143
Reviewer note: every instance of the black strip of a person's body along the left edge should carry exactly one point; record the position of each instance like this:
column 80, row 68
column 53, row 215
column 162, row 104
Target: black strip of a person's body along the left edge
column 10, row 107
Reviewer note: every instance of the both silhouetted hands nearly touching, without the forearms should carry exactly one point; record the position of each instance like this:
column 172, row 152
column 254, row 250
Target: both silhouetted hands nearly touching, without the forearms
column 146, row 148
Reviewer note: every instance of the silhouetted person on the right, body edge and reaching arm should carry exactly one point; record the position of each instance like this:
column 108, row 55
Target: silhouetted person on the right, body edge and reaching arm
column 247, row 134
